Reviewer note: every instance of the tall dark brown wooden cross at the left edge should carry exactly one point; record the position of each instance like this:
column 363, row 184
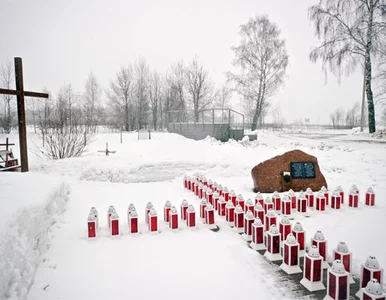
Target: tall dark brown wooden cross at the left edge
column 20, row 94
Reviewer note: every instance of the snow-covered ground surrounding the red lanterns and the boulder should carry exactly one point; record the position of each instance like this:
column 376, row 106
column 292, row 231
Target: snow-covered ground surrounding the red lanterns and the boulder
column 44, row 252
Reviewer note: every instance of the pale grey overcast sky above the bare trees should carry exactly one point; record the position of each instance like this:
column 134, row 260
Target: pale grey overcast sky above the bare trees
column 63, row 41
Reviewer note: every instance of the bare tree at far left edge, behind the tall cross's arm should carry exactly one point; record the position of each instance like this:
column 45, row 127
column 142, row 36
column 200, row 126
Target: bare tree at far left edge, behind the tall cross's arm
column 7, row 109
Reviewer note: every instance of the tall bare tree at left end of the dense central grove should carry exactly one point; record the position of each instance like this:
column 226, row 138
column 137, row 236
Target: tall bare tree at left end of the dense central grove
column 120, row 97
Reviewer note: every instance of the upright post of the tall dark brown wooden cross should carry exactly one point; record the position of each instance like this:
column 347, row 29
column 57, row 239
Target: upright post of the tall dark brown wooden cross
column 21, row 114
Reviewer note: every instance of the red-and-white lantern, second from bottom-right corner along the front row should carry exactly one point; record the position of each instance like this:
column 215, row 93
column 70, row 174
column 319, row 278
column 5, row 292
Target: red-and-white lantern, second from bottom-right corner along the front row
column 337, row 282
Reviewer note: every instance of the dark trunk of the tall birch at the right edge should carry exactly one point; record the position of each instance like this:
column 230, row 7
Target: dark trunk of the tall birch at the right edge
column 368, row 70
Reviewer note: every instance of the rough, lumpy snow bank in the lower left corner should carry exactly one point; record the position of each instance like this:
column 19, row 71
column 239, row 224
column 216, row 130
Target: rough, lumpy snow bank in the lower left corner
column 23, row 242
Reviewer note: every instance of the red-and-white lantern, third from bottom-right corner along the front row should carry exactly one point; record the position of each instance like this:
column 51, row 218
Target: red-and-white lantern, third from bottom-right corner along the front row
column 312, row 271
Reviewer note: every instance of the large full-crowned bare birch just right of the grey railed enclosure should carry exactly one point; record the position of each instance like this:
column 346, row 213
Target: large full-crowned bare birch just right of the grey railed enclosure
column 262, row 59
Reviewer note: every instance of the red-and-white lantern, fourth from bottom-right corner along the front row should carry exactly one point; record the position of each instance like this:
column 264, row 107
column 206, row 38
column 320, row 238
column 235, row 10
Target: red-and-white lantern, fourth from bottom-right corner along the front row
column 290, row 263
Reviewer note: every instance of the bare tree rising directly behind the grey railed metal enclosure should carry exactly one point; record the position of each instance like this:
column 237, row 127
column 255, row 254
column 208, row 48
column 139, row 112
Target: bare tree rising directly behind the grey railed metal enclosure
column 199, row 87
